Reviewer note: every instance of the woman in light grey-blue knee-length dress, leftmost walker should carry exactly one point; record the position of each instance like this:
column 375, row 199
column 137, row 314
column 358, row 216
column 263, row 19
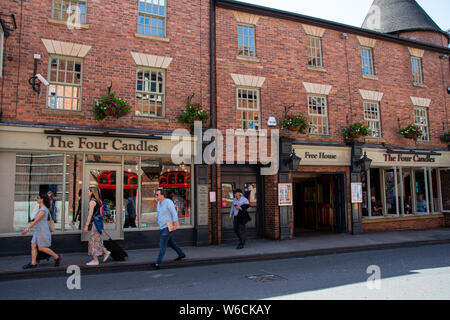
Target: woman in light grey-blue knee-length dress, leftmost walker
column 42, row 237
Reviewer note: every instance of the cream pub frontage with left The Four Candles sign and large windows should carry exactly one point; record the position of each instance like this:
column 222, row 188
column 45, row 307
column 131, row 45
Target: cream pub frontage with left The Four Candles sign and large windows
column 126, row 167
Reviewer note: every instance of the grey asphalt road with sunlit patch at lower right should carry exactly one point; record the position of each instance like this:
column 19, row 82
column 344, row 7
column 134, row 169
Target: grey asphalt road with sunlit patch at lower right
column 405, row 273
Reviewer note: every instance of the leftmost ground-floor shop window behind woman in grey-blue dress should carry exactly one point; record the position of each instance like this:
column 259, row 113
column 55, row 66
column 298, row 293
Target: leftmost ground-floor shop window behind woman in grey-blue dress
column 35, row 174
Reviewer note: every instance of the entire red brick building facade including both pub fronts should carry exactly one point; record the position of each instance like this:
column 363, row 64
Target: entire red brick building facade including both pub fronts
column 333, row 74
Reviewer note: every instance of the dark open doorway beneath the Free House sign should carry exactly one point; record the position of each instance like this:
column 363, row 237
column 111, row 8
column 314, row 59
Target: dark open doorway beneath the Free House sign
column 319, row 204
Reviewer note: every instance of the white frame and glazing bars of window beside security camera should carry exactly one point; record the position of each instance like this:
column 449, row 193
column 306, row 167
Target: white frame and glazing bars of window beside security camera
column 65, row 84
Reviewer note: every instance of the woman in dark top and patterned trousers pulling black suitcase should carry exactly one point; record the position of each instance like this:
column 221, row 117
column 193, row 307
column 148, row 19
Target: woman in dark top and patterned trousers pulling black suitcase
column 94, row 224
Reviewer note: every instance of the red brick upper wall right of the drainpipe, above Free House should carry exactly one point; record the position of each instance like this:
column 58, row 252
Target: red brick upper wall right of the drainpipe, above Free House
column 281, row 47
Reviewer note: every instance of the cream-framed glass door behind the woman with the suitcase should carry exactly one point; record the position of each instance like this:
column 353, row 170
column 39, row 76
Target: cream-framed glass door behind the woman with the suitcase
column 108, row 179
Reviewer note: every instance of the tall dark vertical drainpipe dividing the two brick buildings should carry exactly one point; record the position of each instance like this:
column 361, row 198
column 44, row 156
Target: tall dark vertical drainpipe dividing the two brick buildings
column 212, row 20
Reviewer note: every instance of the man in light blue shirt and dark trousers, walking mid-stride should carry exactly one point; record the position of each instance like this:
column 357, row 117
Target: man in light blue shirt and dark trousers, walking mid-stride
column 166, row 214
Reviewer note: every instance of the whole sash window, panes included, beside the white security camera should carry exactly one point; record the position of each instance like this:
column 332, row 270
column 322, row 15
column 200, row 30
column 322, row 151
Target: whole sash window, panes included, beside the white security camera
column 64, row 91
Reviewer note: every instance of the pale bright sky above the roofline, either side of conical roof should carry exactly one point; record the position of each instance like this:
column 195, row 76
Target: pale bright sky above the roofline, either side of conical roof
column 352, row 12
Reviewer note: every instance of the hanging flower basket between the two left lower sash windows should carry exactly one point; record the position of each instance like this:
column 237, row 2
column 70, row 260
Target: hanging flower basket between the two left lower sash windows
column 110, row 105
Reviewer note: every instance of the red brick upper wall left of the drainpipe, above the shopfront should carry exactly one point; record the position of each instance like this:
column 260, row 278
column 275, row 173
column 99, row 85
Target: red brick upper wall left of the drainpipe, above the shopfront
column 111, row 35
